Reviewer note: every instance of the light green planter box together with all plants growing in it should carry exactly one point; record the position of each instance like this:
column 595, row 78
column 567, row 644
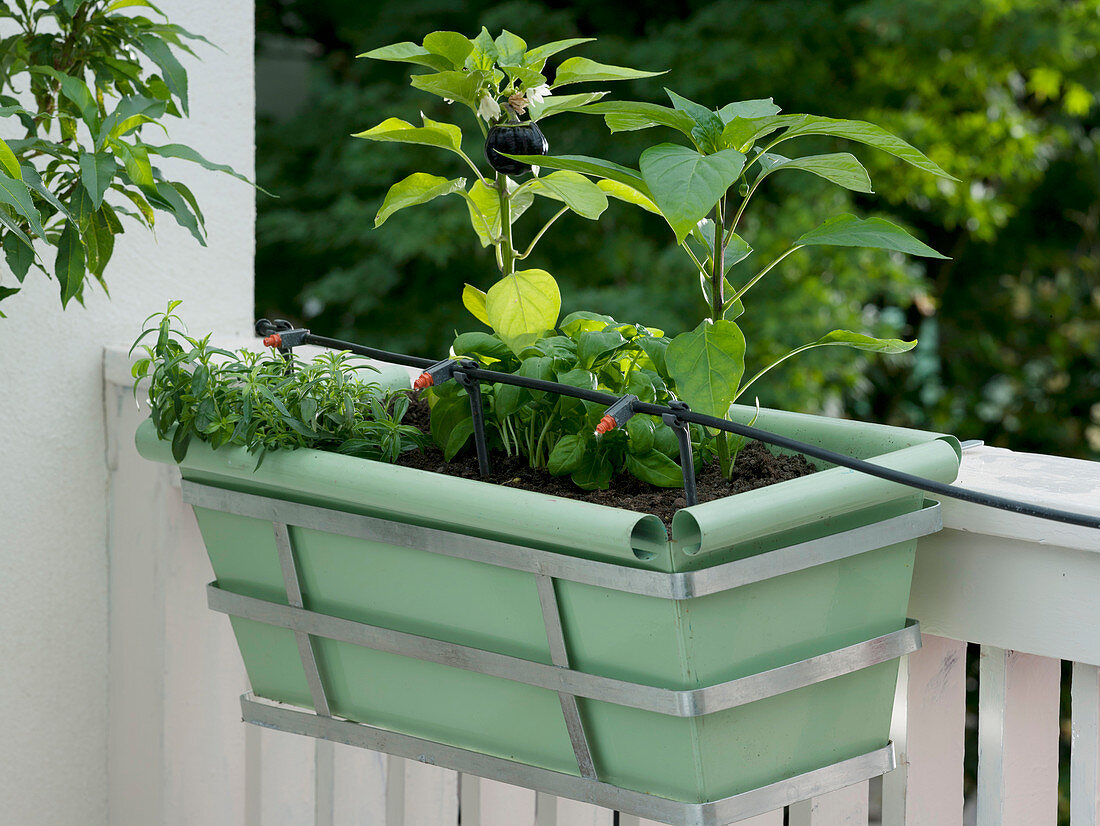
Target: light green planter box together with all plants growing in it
column 691, row 638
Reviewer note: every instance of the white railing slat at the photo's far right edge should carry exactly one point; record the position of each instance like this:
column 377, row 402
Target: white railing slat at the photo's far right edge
column 1085, row 758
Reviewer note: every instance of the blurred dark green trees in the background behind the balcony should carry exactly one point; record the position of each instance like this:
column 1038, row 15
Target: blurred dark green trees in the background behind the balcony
column 1000, row 94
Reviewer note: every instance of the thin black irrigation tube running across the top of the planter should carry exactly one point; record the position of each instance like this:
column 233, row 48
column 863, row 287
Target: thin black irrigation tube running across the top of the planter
column 843, row 460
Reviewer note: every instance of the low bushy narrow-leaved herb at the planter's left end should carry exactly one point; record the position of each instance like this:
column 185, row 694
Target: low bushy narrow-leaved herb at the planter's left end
column 263, row 402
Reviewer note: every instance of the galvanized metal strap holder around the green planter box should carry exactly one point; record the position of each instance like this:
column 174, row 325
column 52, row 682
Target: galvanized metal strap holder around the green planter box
column 574, row 687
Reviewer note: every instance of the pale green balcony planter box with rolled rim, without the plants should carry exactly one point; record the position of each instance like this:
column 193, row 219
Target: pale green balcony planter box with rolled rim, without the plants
column 414, row 553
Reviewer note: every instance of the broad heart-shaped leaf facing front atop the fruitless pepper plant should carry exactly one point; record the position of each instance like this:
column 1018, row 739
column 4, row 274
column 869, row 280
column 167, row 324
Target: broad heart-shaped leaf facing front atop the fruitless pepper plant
column 687, row 184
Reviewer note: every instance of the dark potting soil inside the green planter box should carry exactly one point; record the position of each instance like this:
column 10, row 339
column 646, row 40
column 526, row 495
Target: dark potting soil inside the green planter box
column 756, row 467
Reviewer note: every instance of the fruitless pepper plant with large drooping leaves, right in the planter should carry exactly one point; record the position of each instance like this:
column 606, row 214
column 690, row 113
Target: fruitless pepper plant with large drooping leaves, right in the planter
column 702, row 191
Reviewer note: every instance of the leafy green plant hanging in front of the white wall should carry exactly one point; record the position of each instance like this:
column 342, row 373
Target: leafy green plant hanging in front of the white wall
column 75, row 76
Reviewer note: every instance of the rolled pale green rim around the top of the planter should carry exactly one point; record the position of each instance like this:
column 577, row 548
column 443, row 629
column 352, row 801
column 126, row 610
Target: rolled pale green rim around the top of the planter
column 559, row 524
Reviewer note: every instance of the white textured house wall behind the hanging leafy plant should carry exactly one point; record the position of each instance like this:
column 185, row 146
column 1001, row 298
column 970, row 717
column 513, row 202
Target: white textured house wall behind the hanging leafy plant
column 54, row 568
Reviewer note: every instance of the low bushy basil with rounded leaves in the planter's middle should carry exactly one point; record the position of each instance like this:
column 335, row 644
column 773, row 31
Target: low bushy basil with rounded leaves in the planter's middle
column 557, row 433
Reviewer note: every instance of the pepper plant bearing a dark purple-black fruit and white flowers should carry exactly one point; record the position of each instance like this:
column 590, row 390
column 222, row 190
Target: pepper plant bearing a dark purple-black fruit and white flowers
column 505, row 86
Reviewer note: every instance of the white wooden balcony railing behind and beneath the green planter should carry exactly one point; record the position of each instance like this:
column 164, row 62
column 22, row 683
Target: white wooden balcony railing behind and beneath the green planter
column 1027, row 591
